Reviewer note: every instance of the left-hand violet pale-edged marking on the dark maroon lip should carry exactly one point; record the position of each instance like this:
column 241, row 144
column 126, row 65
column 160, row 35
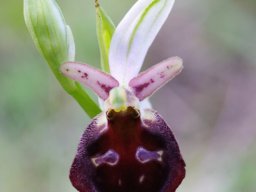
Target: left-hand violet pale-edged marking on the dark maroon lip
column 110, row 158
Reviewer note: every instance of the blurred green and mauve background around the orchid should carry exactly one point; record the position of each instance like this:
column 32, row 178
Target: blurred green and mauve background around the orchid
column 211, row 105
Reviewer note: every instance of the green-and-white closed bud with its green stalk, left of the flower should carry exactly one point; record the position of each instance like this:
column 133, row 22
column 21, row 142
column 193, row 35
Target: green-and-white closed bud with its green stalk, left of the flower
column 54, row 40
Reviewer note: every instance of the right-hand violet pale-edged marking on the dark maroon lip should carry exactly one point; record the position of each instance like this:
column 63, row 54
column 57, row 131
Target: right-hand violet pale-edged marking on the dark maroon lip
column 143, row 155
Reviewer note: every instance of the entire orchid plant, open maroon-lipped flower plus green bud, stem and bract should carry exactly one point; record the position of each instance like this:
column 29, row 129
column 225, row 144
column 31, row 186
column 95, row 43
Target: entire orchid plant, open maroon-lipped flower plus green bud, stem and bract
column 128, row 147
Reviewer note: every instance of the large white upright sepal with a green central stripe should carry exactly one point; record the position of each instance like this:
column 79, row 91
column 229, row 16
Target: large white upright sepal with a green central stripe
column 134, row 35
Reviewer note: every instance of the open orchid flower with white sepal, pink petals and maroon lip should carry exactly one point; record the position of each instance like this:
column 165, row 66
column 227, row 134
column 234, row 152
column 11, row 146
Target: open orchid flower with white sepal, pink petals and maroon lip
column 128, row 147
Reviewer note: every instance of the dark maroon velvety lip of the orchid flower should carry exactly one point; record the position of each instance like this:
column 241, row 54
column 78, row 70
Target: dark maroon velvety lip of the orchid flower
column 129, row 154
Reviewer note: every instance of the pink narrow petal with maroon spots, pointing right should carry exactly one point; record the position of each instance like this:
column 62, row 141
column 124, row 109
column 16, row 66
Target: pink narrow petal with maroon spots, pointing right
column 149, row 81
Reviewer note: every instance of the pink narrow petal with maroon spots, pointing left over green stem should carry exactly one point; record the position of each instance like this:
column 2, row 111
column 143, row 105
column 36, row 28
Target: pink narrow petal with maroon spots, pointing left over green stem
column 101, row 83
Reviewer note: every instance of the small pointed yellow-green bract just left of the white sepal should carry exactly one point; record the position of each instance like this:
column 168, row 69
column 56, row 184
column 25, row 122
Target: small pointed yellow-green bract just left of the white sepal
column 105, row 30
